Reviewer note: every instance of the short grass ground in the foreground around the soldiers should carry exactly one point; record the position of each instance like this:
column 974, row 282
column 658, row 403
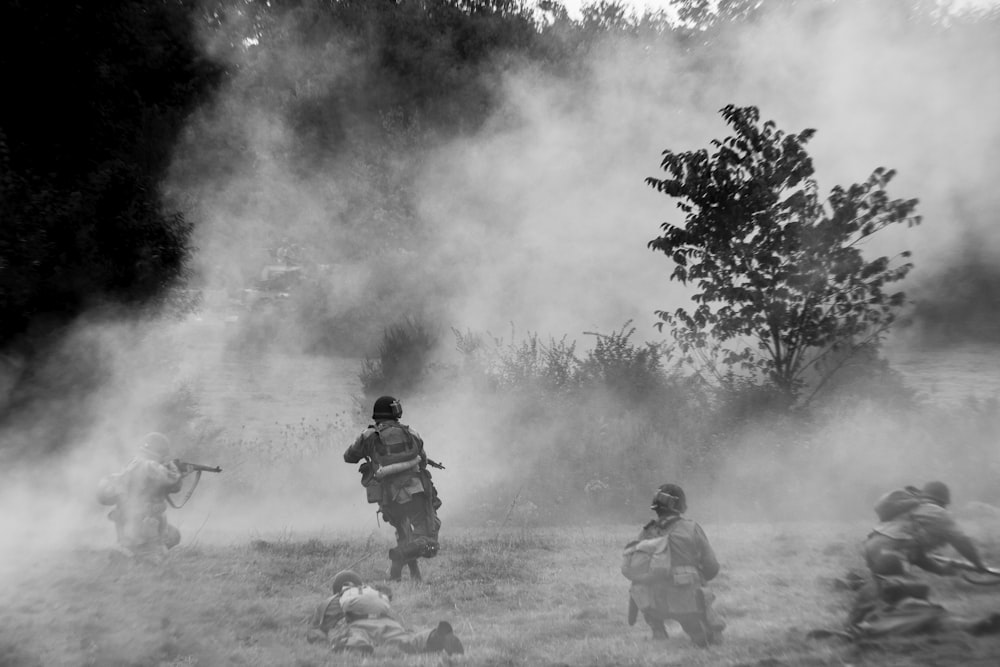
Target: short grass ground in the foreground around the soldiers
column 516, row 596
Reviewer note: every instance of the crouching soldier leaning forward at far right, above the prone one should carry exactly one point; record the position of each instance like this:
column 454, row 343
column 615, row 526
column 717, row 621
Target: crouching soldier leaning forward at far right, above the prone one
column 915, row 522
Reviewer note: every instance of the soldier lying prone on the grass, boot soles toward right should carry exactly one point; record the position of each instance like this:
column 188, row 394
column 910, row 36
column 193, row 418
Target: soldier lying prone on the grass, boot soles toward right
column 359, row 617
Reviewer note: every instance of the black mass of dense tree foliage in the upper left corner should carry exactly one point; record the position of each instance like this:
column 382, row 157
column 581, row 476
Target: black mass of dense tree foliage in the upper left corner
column 82, row 152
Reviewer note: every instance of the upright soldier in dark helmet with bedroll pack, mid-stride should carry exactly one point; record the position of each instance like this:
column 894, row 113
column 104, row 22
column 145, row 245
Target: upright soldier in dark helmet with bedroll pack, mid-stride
column 396, row 477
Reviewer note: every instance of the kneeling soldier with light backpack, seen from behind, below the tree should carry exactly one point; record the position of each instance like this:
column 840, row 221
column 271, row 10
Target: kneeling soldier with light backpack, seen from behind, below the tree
column 668, row 565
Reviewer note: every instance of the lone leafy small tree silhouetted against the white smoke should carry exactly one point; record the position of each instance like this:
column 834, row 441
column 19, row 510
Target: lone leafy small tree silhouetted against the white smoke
column 770, row 262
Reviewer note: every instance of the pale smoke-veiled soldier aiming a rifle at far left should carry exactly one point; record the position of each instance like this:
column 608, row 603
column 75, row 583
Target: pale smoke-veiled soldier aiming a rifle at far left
column 139, row 494
